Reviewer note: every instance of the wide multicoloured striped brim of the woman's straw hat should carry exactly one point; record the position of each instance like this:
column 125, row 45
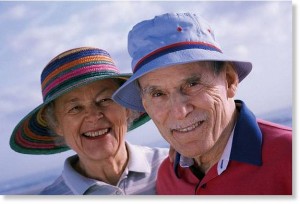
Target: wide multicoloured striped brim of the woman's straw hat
column 33, row 136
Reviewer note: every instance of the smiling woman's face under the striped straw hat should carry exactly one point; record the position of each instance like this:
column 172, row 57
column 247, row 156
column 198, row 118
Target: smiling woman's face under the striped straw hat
column 93, row 125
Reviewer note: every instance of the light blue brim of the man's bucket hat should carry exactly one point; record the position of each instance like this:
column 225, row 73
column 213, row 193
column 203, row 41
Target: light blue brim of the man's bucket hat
column 128, row 94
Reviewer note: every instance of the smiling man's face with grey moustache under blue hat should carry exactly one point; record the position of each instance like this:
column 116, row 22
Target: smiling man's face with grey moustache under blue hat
column 189, row 104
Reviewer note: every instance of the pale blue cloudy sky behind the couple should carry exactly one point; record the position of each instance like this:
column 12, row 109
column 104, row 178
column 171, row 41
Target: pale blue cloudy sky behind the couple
column 32, row 33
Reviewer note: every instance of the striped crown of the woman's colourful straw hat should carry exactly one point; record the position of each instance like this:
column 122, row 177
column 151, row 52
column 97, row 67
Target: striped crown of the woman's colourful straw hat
column 73, row 66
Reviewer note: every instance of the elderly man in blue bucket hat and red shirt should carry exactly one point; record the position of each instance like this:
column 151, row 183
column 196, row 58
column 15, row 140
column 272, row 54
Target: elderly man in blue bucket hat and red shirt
column 187, row 85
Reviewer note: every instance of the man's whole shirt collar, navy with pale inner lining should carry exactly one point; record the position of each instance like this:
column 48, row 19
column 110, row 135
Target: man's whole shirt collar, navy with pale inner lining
column 244, row 144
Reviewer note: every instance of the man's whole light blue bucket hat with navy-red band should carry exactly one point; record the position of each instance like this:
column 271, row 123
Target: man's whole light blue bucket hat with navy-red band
column 170, row 39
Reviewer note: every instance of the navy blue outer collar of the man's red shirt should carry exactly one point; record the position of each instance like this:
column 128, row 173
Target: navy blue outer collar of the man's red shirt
column 247, row 139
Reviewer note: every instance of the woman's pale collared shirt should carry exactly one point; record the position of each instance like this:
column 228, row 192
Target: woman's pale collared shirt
column 138, row 178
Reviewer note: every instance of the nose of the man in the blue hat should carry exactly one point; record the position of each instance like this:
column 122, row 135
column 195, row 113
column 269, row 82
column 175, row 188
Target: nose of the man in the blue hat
column 180, row 106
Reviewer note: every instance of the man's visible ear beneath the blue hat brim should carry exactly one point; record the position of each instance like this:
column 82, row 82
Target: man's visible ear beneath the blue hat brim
column 232, row 80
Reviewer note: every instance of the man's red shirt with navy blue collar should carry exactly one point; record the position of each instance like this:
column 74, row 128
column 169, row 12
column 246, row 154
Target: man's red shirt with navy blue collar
column 267, row 173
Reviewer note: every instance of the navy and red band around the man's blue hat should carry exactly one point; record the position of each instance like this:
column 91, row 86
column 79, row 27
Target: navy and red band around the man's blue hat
column 173, row 48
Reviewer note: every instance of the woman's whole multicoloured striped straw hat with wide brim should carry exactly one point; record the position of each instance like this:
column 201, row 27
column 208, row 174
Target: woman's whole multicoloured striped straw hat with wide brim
column 67, row 71
